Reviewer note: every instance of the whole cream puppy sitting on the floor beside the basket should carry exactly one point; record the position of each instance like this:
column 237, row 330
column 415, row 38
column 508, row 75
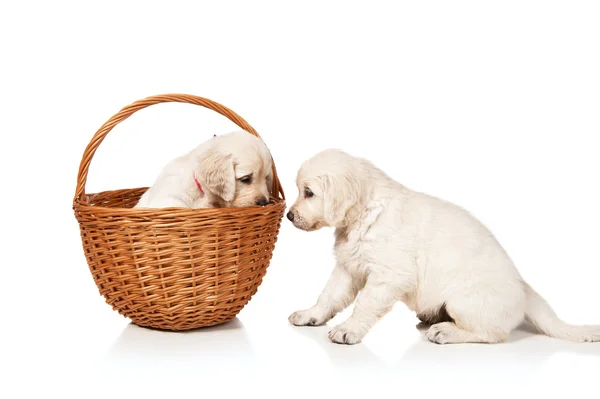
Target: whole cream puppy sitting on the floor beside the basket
column 394, row 244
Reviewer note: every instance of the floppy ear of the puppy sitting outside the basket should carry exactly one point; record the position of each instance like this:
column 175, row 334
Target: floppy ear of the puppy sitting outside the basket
column 340, row 194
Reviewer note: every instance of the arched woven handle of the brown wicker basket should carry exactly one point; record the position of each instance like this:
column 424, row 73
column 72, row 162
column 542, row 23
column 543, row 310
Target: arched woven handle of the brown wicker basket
column 129, row 110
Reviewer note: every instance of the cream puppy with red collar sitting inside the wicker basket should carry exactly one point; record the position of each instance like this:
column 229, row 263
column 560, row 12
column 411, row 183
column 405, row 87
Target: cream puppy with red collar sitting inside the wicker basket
column 232, row 170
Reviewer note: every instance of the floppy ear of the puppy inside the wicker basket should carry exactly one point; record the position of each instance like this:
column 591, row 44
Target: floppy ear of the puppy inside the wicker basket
column 217, row 174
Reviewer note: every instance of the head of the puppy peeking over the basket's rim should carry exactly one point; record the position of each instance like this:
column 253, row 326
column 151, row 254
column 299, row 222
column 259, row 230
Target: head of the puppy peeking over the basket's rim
column 235, row 170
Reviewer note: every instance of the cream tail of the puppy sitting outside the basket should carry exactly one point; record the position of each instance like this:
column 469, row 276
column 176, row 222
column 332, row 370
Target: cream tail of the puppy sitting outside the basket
column 543, row 318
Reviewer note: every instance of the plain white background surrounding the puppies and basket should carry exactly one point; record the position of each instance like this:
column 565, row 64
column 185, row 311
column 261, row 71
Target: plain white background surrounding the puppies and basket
column 491, row 105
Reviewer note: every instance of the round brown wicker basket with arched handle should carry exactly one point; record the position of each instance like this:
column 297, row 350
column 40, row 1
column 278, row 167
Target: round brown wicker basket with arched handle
column 174, row 269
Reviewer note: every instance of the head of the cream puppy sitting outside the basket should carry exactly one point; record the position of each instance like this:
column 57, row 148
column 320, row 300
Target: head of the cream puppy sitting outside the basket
column 328, row 187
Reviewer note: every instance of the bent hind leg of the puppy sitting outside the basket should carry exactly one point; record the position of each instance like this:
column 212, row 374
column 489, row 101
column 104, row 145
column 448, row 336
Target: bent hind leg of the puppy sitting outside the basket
column 481, row 318
